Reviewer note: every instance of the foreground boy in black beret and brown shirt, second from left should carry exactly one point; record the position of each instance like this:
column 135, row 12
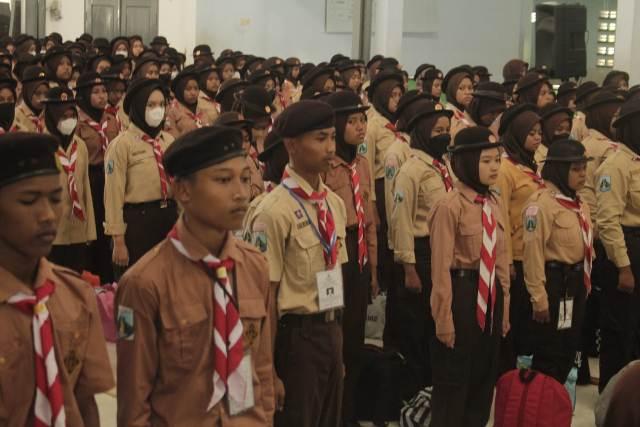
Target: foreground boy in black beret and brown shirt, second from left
column 194, row 315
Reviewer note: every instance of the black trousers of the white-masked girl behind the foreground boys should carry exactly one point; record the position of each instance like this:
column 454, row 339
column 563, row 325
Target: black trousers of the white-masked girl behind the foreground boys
column 147, row 225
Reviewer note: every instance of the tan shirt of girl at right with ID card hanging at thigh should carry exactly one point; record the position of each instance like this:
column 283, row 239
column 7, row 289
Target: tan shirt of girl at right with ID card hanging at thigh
column 552, row 233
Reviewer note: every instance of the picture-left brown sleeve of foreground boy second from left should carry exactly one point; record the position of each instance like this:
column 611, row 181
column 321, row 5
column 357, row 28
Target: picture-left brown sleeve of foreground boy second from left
column 137, row 353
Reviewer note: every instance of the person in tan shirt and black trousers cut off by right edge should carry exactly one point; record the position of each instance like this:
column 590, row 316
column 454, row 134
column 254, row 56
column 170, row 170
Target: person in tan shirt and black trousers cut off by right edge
column 618, row 217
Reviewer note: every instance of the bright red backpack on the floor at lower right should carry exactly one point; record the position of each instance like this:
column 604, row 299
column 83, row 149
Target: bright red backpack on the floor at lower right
column 526, row 398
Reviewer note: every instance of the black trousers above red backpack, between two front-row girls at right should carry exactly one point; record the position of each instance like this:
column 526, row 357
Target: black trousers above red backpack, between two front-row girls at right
column 518, row 340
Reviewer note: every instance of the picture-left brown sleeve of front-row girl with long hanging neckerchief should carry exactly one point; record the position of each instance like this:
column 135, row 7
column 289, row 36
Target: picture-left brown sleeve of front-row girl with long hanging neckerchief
column 443, row 226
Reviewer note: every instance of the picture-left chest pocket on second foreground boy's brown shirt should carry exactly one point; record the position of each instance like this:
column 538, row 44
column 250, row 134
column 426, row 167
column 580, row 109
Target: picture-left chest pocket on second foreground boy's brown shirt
column 184, row 335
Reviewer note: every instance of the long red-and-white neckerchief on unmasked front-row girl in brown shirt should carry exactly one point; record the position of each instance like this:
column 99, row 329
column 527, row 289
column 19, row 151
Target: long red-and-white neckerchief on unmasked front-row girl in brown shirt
column 487, row 276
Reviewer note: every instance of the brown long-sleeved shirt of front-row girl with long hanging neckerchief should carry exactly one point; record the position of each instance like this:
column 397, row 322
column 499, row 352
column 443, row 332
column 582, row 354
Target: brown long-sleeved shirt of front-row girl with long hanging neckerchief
column 456, row 240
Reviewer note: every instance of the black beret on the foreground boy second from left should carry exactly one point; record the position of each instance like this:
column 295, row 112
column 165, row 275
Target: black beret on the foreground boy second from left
column 202, row 148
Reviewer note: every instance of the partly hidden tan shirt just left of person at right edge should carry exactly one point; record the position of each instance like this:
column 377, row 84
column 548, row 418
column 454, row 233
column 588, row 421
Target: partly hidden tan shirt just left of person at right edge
column 599, row 147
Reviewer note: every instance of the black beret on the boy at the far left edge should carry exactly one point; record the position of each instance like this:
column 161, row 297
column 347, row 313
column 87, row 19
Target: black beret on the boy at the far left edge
column 25, row 155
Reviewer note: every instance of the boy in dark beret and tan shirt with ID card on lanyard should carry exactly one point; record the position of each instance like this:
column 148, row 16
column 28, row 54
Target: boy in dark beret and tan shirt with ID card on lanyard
column 304, row 227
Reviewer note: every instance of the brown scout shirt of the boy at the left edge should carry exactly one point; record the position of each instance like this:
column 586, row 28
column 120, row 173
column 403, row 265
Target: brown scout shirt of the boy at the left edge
column 80, row 349
